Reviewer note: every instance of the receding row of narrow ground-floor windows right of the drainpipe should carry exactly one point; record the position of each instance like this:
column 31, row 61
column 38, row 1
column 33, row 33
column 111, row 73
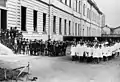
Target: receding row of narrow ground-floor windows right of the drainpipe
column 71, row 30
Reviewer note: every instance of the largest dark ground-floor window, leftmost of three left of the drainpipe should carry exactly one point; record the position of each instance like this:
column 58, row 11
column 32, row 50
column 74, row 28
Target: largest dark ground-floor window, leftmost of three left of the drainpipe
column 23, row 18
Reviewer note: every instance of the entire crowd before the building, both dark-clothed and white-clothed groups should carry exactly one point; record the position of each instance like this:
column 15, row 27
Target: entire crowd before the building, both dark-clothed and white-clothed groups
column 83, row 50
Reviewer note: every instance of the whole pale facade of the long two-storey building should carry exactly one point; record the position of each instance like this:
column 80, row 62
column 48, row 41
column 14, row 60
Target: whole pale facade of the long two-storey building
column 54, row 19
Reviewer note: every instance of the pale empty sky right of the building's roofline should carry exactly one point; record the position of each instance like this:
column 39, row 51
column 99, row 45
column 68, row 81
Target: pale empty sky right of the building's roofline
column 111, row 9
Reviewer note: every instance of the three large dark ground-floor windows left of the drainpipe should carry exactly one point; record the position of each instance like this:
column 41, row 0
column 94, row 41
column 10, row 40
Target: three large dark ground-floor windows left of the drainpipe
column 35, row 17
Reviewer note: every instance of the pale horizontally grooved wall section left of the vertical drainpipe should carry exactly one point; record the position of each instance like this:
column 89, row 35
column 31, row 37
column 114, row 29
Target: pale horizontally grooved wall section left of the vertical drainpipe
column 14, row 17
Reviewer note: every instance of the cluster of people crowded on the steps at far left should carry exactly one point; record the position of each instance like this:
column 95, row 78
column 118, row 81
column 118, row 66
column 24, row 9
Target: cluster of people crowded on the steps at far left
column 8, row 37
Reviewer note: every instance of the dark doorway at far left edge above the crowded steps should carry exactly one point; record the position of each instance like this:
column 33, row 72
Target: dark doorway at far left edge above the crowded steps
column 3, row 19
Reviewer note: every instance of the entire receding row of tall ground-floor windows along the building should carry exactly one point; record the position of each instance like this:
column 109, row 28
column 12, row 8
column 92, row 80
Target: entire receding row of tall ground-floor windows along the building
column 72, row 30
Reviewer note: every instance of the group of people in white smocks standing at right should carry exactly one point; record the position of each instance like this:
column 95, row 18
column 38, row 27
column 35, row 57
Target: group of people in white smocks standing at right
column 95, row 52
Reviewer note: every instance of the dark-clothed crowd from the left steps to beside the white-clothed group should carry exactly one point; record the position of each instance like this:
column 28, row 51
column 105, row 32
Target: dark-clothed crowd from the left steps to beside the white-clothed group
column 13, row 39
